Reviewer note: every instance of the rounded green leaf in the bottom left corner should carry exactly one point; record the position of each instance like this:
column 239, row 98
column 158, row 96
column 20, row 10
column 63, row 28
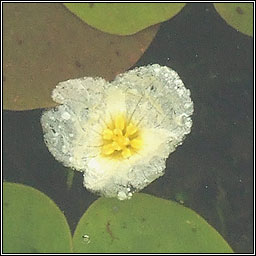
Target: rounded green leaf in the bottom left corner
column 32, row 223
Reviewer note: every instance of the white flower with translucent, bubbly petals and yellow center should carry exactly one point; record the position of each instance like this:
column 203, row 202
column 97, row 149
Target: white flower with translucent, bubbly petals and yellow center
column 119, row 134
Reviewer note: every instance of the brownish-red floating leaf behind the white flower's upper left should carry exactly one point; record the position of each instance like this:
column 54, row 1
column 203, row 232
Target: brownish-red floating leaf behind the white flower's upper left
column 45, row 44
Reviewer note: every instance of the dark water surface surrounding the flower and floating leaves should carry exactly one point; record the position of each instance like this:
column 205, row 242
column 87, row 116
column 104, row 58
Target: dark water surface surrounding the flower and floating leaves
column 212, row 172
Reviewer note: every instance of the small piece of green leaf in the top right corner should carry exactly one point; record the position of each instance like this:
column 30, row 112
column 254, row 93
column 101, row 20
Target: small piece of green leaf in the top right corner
column 237, row 15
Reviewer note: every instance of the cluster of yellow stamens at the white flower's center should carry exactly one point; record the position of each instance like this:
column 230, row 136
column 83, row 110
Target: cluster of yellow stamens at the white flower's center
column 121, row 139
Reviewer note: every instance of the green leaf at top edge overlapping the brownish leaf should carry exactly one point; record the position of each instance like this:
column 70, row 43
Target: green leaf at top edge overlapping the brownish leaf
column 124, row 18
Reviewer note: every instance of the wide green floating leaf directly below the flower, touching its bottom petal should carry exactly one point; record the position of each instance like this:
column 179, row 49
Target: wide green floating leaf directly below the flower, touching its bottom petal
column 145, row 224
